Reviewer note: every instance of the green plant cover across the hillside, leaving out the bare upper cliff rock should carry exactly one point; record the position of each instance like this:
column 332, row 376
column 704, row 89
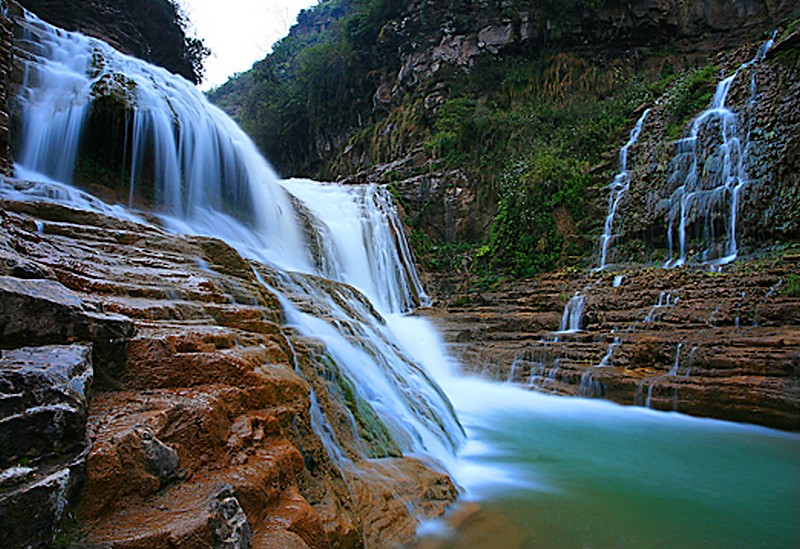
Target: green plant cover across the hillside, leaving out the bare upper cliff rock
column 535, row 131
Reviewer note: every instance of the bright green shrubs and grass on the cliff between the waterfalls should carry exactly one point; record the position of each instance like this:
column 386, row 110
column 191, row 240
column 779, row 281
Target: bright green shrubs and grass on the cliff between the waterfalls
column 529, row 145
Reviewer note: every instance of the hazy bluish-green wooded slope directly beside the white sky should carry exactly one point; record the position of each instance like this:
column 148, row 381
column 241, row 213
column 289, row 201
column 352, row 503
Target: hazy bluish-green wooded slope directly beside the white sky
column 313, row 86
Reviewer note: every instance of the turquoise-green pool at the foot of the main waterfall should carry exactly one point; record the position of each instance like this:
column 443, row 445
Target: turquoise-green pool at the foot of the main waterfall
column 581, row 473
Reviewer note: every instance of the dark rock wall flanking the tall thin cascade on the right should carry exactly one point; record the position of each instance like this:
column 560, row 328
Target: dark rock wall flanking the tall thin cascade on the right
column 764, row 96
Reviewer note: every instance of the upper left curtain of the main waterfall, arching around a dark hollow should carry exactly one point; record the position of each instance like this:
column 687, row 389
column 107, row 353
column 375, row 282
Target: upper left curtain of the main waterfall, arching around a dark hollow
column 203, row 169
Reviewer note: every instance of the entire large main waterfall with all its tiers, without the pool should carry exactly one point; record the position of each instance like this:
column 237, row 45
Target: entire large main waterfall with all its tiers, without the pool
column 208, row 178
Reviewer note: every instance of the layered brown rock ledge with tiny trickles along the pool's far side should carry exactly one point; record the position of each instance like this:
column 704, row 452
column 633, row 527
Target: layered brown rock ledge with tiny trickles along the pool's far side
column 721, row 344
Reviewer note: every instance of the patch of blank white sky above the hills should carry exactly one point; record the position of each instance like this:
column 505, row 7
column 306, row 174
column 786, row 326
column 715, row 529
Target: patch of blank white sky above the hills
column 239, row 32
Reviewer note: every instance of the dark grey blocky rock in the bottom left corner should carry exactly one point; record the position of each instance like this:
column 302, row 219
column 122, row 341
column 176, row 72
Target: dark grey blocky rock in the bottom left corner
column 43, row 411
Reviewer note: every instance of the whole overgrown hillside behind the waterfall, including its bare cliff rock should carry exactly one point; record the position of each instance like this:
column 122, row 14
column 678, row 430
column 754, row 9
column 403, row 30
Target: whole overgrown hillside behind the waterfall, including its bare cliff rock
column 497, row 123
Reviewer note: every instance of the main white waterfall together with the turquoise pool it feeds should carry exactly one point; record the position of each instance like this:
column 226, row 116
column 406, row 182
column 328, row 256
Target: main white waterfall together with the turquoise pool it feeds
column 565, row 472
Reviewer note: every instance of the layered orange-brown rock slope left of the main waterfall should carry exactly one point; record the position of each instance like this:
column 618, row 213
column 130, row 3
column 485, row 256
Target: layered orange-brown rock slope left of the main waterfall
column 200, row 429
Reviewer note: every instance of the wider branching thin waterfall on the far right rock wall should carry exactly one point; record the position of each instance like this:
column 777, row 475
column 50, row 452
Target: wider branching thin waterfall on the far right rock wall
column 708, row 174
